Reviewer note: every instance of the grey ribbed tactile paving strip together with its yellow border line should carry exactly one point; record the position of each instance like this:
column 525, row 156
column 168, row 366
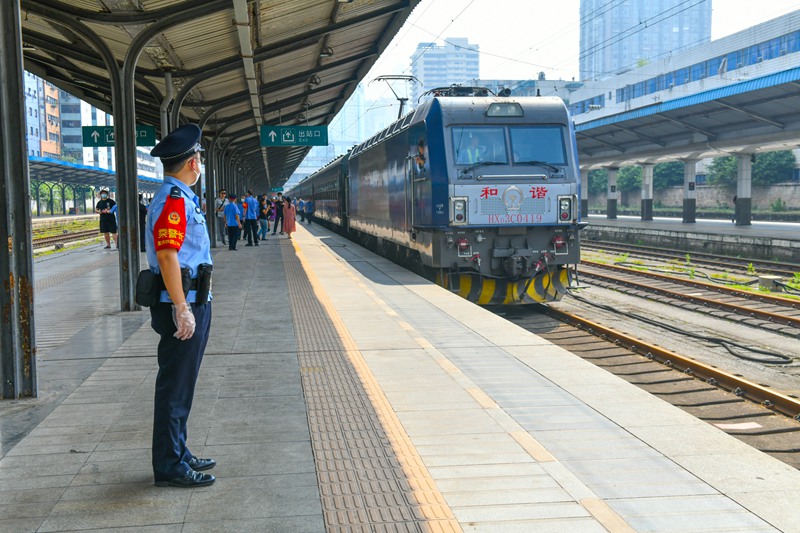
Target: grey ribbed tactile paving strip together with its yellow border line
column 370, row 475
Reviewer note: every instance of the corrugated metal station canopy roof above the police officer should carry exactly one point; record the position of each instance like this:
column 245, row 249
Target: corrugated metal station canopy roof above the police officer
column 235, row 65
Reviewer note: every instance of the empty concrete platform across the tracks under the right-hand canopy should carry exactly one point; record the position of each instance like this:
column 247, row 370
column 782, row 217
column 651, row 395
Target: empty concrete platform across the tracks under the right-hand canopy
column 772, row 241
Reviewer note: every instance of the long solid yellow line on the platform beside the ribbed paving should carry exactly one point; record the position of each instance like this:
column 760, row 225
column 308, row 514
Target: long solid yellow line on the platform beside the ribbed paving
column 428, row 499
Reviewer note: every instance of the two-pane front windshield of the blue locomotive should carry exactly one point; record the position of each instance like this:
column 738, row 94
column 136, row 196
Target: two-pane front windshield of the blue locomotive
column 529, row 145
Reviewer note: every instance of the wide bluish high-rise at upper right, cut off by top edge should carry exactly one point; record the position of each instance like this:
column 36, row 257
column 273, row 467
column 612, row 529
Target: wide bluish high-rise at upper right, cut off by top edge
column 619, row 35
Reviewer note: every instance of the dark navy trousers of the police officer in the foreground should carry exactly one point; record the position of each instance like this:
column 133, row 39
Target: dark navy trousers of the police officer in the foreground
column 178, row 367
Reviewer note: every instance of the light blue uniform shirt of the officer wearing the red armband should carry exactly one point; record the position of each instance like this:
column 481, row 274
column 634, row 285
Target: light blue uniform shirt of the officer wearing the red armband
column 196, row 247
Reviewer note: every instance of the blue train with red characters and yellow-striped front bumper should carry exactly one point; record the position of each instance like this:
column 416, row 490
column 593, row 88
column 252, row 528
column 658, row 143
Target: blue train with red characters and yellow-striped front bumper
column 480, row 192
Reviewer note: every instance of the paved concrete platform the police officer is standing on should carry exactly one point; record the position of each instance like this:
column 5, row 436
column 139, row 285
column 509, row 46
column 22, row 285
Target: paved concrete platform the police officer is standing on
column 340, row 392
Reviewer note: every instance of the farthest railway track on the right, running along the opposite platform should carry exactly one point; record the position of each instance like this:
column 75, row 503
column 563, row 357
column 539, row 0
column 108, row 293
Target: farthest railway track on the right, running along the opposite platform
column 718, row 262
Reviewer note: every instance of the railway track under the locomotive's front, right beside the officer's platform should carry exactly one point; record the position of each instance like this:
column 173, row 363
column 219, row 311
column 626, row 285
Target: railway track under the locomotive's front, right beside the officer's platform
column 754, row 413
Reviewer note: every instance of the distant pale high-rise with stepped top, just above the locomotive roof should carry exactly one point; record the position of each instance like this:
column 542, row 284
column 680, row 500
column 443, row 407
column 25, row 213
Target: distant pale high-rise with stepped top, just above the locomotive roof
column 456, row 62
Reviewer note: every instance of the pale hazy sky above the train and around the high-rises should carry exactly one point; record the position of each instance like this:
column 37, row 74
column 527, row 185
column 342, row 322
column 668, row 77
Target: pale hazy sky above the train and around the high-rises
column 520, row 38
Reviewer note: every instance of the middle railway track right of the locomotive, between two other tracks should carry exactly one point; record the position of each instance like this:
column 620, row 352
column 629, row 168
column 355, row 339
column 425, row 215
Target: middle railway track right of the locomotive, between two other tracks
column 773, row 313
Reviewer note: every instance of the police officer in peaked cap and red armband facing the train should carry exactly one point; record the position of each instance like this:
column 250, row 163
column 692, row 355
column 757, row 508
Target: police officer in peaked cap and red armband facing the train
column 178, row 248
